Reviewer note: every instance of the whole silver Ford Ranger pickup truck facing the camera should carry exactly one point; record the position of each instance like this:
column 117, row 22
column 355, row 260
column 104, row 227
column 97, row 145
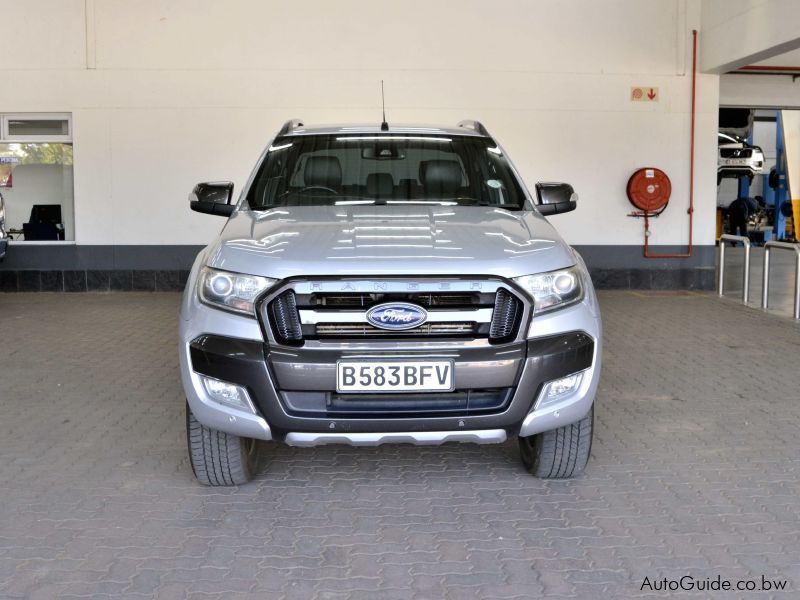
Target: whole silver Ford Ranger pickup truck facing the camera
column 385, row 284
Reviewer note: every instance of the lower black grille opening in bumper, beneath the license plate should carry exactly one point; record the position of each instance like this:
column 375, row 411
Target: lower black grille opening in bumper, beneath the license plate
column 458, row 403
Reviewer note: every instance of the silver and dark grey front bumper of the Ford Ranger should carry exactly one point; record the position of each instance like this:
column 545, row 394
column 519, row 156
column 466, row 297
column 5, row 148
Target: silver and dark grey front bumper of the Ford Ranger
column 561, row 344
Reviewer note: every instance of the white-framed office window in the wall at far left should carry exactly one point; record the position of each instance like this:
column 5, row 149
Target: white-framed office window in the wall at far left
column 36, row 177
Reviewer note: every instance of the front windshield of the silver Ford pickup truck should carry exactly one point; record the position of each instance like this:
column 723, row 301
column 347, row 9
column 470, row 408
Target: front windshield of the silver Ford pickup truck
column 326, row 170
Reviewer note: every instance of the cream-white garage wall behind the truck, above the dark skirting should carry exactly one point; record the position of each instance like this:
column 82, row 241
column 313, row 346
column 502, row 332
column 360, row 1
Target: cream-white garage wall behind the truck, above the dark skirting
column 191, row 90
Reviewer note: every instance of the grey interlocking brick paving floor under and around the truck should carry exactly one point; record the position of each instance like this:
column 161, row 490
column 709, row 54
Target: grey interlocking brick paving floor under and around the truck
column 695, row 471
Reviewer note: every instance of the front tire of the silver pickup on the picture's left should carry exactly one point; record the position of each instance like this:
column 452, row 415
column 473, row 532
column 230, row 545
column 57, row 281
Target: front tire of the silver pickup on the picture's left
column 219, row 458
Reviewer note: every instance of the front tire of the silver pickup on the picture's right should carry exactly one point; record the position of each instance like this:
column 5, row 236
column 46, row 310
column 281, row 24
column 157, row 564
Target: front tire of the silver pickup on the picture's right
column 560, row 453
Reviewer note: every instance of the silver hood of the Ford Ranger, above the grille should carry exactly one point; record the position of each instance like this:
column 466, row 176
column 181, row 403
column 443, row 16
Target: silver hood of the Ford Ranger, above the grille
column 388, row 240
